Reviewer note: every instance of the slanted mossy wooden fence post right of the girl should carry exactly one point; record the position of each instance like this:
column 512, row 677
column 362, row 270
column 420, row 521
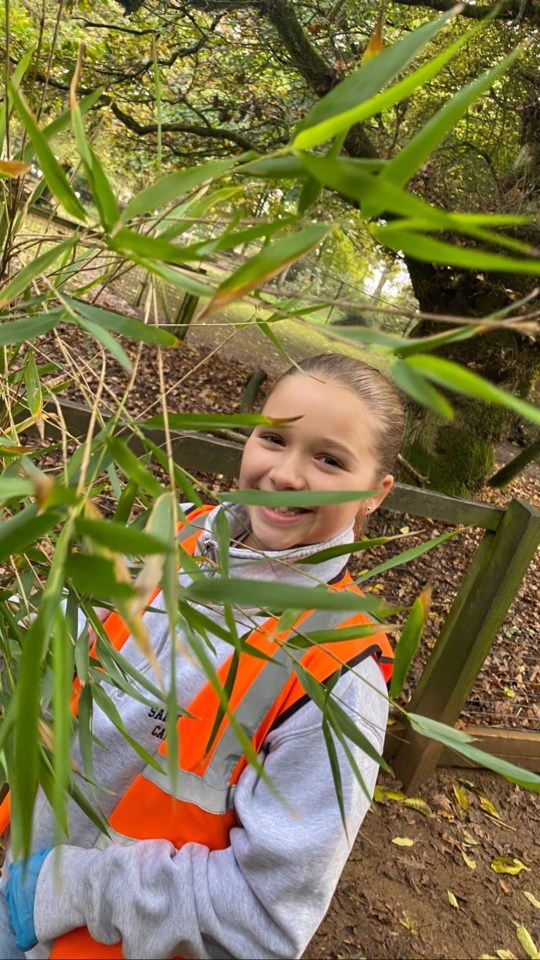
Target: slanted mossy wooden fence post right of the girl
column 478, row 611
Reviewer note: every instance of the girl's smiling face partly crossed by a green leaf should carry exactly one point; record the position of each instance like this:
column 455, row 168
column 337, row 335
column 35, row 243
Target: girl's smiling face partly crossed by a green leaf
column 331, row 447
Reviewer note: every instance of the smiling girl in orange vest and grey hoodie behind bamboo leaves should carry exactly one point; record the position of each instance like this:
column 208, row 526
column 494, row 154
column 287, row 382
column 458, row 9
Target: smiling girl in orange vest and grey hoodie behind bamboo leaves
column 226, row 863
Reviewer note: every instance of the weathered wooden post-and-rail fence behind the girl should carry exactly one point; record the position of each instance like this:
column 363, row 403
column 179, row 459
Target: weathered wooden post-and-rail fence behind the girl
column 490, row 584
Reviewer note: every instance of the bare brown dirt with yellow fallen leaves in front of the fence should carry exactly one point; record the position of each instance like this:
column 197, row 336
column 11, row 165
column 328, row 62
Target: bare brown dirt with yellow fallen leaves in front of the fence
column 395, row 901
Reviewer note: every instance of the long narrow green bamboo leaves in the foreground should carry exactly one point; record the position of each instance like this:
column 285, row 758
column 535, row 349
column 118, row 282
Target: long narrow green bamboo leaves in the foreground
column 54, row 533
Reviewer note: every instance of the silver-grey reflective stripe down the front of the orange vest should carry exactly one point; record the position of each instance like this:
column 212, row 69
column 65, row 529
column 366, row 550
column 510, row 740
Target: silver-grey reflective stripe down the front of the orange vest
column 212, row 792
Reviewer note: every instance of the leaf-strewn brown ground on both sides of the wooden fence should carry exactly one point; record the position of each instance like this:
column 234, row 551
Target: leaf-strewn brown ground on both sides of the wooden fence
column 439, row 896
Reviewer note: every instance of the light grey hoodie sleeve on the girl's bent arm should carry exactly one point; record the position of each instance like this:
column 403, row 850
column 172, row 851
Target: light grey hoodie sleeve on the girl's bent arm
column 262, row 897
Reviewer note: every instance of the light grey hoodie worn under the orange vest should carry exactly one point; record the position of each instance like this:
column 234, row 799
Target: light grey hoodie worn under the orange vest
column 266, row 894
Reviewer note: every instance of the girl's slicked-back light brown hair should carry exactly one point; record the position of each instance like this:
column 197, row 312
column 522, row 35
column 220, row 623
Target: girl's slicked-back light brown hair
column 378, row 393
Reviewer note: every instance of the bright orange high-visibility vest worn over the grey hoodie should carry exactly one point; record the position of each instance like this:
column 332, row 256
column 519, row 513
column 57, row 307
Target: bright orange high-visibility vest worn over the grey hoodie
column 200, row 806
